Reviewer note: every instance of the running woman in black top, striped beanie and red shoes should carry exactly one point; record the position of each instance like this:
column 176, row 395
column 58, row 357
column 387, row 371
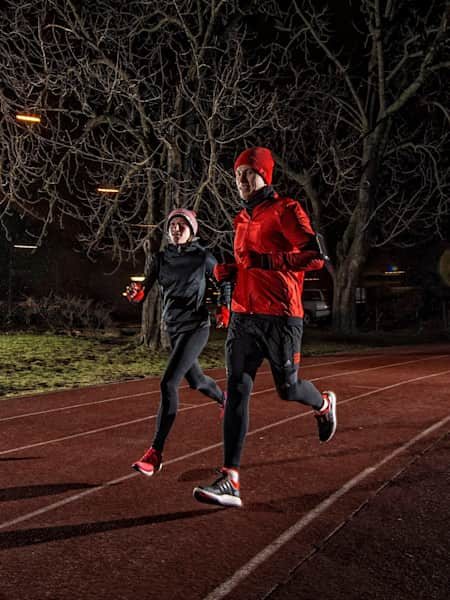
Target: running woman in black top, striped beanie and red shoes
column 182, row 270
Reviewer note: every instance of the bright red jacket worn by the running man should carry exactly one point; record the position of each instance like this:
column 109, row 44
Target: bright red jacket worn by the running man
column 278, row 227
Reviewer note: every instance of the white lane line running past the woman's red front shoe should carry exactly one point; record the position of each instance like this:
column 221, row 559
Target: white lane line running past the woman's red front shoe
column 103, row 486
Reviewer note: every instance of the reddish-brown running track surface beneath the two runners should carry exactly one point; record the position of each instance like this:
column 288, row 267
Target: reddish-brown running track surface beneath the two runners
column 363, row 517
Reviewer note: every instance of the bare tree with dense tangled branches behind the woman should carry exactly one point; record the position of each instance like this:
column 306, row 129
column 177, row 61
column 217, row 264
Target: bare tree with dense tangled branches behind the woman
column 149, row 97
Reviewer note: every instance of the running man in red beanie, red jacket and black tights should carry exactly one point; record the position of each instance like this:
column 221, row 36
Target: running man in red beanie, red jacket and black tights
column 274, row 245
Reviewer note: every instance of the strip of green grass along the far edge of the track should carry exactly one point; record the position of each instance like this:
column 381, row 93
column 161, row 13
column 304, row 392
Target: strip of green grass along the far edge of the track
column 31, row 363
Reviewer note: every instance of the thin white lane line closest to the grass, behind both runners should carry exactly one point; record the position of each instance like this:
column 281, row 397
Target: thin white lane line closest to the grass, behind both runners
column 184, row 387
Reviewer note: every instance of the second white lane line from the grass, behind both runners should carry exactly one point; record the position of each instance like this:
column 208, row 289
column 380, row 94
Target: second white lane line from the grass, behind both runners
column 141, row 419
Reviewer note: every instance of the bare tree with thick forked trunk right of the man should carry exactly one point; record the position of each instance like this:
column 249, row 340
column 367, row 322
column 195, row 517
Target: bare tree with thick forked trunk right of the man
column 366, row 133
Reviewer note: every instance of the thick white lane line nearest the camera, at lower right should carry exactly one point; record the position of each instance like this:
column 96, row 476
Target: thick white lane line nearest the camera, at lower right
column 230, row 584
